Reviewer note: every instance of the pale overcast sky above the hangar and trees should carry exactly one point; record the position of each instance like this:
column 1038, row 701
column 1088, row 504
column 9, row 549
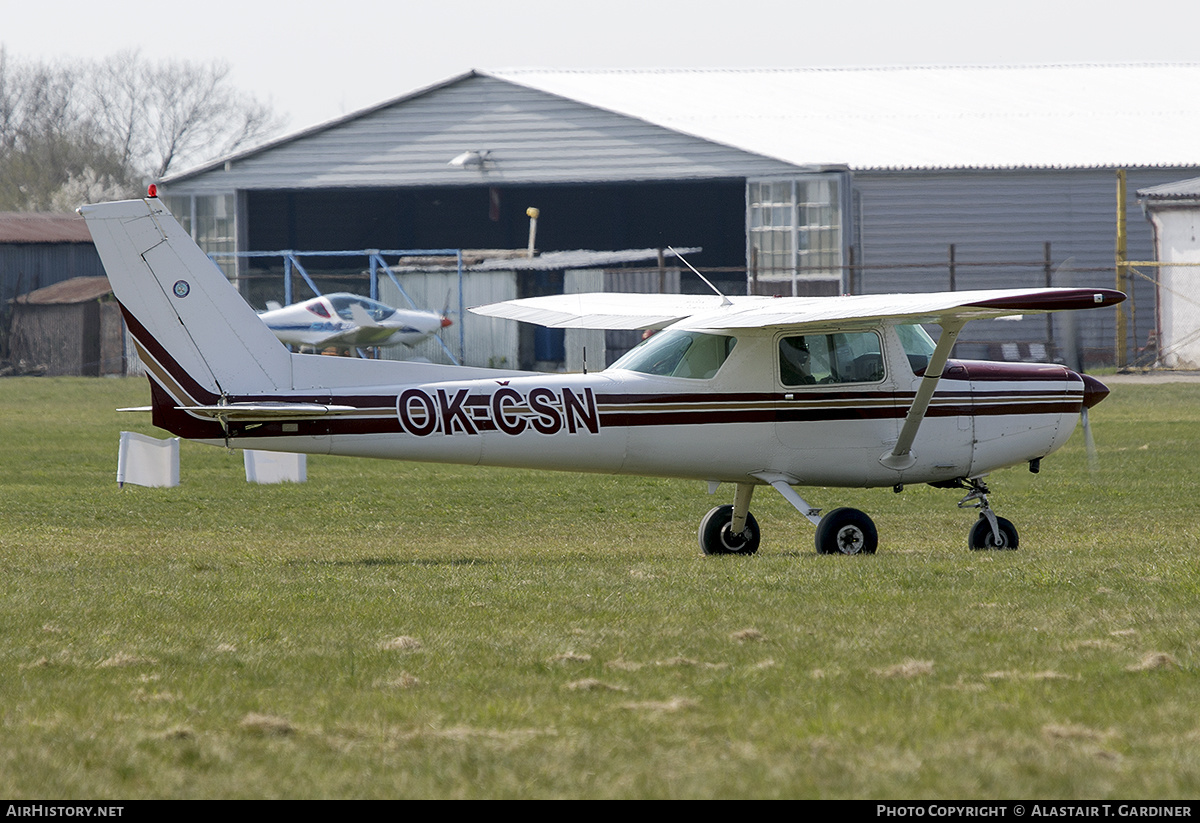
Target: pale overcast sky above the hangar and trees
column 316, row 61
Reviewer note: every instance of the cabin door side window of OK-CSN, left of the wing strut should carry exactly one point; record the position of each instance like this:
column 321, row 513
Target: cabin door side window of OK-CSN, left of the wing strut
column 825, row 359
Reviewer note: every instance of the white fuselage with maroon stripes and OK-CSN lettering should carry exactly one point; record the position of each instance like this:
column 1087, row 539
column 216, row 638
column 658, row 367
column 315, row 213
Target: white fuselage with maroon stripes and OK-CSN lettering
column 739, row 424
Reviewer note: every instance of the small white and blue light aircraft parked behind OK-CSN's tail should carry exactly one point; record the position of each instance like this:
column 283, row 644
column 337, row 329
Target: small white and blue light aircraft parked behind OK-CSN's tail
column 349, row 321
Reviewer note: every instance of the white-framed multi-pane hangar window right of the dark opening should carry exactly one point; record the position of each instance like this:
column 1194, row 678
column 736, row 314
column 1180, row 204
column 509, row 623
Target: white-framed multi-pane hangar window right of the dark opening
column 795, row 233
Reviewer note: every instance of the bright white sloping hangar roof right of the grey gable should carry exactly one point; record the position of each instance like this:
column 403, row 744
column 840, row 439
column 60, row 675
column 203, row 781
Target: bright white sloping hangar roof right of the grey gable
column 914, row 118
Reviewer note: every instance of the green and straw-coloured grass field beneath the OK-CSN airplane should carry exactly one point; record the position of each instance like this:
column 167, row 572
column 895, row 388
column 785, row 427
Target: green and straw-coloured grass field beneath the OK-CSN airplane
column 393, row 630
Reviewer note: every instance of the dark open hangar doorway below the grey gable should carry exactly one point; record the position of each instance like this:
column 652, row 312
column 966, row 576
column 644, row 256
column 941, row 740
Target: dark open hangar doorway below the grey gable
column 597, row 217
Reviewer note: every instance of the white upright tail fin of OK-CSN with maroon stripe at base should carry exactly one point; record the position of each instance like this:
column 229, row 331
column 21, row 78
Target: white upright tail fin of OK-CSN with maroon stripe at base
column 196, row 335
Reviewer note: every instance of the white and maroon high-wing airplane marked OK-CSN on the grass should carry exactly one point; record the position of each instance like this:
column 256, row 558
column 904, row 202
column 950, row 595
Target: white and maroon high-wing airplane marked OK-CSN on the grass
column 779, row 393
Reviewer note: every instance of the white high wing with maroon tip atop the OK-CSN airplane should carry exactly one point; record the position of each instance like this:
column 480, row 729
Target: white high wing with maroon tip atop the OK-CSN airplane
column 658, row 311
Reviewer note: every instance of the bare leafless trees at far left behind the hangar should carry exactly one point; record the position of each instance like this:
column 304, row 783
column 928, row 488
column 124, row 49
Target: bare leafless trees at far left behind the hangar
column 106, row 127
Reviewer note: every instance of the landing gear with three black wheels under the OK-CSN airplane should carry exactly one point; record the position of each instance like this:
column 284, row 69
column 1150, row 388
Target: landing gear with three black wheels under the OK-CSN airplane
column 733, row 530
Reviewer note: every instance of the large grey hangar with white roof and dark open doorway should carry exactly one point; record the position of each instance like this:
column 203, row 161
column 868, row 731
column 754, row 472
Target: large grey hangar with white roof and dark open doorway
column 791, row 182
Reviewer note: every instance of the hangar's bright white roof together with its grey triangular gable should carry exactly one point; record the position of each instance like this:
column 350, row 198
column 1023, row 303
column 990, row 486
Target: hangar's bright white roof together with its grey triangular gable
column 556, row 125
